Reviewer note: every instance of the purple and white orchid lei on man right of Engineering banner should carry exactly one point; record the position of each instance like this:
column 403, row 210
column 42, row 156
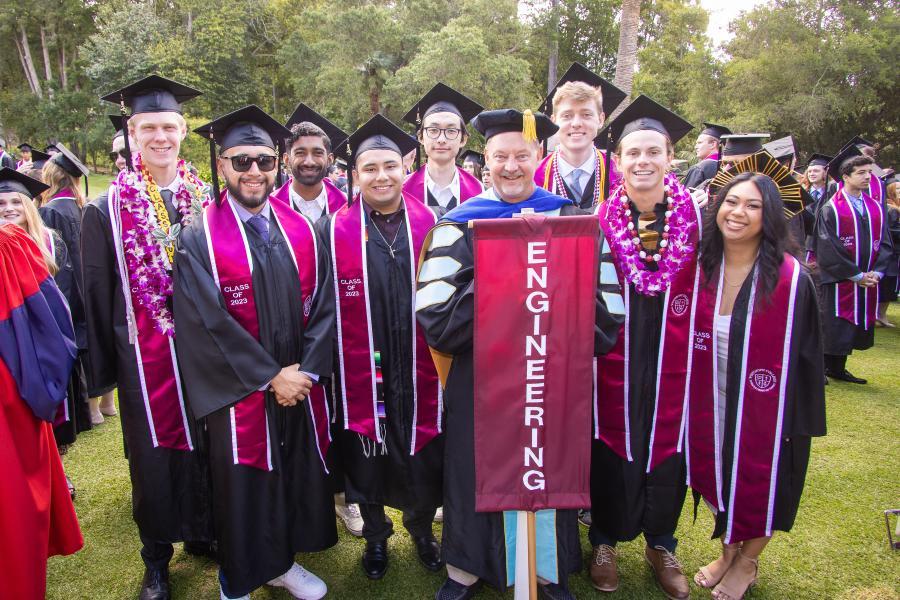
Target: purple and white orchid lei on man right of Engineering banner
column 679, row 244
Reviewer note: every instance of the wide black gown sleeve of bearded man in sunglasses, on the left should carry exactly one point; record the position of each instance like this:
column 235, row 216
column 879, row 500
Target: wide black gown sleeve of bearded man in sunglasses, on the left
column 221, row 361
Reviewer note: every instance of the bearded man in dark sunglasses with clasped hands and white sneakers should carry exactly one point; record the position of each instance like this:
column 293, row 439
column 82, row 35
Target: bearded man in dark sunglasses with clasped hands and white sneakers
column 254, row 309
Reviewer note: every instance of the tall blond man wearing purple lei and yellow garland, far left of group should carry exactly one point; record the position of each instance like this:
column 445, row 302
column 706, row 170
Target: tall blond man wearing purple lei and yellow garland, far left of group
column 127, row 256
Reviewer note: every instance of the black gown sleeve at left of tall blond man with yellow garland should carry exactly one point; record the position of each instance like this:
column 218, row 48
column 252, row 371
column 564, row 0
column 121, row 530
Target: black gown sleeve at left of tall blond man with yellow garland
column 100, row 272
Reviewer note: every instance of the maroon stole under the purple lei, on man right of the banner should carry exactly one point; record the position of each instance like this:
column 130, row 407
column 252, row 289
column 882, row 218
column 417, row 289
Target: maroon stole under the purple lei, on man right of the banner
column 612, row 422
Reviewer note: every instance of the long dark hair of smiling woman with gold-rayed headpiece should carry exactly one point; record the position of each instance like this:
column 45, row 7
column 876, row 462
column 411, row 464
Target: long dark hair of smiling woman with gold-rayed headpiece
column 776, row 238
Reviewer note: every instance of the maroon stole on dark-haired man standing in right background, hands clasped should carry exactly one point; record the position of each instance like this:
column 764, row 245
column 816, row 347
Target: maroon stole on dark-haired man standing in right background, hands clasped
column 847, row 292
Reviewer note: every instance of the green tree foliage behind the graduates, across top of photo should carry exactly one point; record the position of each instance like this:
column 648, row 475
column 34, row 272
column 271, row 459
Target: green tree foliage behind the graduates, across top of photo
column 822, row 70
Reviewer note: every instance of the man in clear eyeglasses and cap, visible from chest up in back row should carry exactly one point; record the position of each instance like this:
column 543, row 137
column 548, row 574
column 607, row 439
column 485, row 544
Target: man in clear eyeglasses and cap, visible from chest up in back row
column 441, row 116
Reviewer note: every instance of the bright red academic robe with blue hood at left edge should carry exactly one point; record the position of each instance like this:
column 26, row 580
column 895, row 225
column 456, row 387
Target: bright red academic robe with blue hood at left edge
column 37, row 350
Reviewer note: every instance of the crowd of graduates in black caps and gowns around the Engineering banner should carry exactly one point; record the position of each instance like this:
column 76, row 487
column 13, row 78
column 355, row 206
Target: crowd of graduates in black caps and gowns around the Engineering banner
column 275, row 336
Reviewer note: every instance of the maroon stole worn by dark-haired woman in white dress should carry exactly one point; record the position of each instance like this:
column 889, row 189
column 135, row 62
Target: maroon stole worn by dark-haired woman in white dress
column 760, row 410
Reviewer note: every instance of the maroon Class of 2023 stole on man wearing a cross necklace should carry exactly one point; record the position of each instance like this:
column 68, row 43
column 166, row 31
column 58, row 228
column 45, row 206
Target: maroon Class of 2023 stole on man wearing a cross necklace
column 356, row 349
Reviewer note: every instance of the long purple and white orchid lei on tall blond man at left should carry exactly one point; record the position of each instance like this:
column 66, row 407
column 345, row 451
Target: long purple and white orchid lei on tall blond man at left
column 145, row 256
